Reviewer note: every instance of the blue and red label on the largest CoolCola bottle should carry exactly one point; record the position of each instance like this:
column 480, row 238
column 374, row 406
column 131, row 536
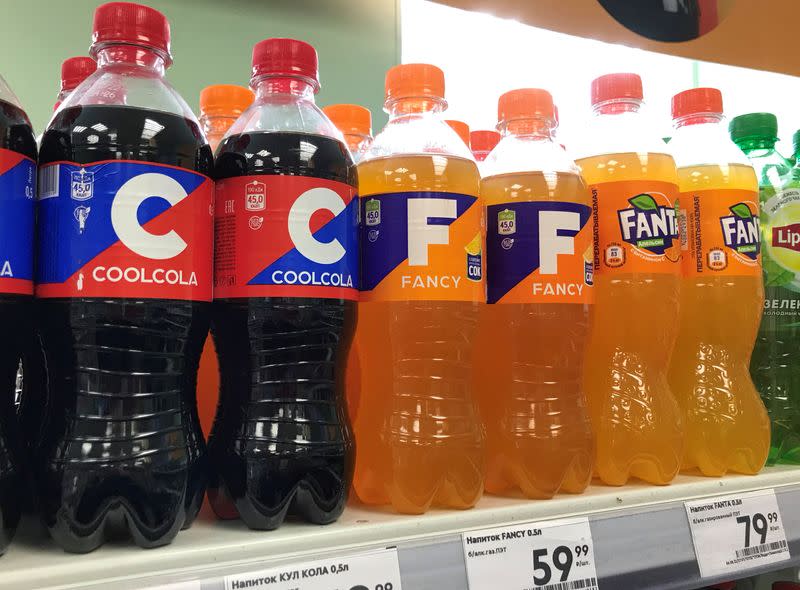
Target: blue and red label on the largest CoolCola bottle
column 124, row 229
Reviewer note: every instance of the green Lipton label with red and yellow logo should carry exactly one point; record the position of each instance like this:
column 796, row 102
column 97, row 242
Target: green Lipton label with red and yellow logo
column 780, row 234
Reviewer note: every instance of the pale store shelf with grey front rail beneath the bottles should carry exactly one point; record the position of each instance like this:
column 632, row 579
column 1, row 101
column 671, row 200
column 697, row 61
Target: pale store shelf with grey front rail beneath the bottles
column 641, row 538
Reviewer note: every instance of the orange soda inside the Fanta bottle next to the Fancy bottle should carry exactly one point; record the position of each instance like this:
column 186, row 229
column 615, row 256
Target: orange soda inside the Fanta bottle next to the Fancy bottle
column 635, row 416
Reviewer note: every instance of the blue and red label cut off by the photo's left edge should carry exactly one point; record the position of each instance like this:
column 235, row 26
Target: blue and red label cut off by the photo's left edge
column 17, row 192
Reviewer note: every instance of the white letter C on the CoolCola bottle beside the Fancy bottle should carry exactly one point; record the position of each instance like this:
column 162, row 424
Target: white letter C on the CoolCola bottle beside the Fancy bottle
column 300, row 214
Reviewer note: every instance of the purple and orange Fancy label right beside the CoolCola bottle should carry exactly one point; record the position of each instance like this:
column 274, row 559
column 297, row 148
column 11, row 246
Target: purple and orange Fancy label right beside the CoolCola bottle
column 422, row 246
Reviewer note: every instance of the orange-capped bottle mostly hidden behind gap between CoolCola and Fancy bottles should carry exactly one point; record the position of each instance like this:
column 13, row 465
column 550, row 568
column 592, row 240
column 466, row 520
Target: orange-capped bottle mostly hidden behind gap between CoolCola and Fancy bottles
column 355, row 123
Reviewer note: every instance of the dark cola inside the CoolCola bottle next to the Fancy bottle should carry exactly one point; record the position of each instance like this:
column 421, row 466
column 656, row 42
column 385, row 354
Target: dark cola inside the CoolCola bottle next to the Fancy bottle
column 281, row 441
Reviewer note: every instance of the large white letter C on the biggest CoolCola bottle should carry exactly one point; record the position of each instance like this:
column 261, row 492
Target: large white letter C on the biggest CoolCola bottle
column 124, row 212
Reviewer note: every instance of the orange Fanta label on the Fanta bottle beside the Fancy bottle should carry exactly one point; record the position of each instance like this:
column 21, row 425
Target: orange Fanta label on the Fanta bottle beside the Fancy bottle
column 637, row 227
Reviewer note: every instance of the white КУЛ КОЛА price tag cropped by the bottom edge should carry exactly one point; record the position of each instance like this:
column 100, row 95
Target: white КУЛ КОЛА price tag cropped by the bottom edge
column 375, row 570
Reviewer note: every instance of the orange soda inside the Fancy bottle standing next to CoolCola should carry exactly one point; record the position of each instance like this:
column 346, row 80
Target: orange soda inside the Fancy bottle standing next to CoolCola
column 420, row 440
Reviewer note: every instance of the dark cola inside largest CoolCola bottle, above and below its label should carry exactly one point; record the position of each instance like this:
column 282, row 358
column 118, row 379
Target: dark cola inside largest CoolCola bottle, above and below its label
column 122, row 442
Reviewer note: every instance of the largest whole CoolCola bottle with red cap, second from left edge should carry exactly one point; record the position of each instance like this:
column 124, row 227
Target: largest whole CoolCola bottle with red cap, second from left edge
column 124, row 279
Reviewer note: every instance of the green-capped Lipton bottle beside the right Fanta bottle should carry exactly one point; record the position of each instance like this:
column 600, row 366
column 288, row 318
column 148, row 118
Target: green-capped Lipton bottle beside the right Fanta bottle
column 775, row 364
